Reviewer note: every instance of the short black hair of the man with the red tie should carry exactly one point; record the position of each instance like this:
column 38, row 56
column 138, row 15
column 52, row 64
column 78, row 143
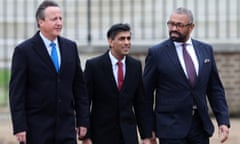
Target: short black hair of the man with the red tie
column 116, row 28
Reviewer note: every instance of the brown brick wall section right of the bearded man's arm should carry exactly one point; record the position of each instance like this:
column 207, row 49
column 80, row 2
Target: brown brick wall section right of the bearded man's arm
column 229, row 69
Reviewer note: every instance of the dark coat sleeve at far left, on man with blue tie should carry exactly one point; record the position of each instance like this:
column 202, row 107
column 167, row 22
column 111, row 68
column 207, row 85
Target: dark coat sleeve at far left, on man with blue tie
column 17, row 90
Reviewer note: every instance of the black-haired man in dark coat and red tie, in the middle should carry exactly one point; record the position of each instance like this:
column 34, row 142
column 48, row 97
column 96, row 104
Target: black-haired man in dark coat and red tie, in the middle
column 116, row 94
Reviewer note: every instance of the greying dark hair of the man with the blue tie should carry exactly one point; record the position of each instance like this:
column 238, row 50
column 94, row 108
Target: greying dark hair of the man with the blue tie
column 40, row 11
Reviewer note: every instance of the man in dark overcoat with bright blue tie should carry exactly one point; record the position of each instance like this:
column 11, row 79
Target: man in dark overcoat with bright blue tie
column 48, row 94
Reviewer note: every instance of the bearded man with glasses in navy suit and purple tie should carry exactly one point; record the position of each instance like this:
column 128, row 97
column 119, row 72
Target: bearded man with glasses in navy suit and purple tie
column 180, row 76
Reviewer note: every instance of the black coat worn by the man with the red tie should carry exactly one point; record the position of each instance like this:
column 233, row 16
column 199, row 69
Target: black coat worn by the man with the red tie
column 115, row 114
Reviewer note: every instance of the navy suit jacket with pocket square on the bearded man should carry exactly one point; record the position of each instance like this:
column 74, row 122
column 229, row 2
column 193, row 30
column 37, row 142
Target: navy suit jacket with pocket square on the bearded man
column 172, row 113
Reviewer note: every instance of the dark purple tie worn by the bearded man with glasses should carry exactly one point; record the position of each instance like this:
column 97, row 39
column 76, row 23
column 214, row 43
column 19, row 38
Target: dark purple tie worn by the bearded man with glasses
column 191, row 72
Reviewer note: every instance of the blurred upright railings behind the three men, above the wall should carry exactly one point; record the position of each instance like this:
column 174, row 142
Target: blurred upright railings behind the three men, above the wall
column 86, row 21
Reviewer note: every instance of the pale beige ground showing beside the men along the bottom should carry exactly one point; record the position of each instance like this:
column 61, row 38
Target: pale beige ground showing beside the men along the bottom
column 6, row 136
